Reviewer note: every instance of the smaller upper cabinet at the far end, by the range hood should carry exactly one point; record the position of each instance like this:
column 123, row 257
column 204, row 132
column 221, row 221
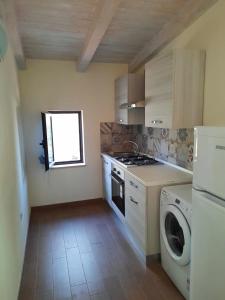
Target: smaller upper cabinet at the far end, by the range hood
column 129, row 99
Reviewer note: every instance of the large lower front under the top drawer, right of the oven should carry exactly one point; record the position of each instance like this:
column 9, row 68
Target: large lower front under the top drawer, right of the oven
column 136, row 218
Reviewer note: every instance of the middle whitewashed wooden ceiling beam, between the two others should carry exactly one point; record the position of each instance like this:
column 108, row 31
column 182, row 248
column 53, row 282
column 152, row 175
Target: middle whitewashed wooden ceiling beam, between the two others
column 103, row 17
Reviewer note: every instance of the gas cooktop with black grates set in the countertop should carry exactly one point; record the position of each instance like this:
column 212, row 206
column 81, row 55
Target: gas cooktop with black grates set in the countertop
column 130, row 159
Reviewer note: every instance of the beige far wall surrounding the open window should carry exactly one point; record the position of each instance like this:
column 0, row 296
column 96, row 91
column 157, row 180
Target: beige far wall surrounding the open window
column 49, row 85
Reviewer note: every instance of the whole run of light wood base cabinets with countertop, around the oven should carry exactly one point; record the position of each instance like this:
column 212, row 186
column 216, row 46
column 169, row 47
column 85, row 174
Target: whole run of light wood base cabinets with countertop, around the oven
column 142, row 202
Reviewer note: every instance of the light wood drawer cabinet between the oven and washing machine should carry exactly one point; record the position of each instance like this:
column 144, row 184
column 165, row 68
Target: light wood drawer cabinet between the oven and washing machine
column 142, row 216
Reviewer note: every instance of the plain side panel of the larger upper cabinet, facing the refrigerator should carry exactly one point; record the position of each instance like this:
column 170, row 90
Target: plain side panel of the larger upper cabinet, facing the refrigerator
column 189, row 74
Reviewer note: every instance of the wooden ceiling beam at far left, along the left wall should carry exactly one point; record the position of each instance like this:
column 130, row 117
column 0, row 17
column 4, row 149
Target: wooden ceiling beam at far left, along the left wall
column 10, row 19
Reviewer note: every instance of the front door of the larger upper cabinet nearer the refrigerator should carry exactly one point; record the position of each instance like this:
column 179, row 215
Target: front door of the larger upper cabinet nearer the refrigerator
column 159, row 91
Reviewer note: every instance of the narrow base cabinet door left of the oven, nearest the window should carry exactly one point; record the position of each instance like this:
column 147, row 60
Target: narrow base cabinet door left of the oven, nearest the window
column 106, row 174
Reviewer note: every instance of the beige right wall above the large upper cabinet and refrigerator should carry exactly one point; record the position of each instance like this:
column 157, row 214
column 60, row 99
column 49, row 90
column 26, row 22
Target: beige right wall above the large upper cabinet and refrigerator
column 208, row 33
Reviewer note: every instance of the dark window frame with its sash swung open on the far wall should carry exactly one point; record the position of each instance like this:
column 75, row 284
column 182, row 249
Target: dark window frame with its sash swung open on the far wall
column 55, row 164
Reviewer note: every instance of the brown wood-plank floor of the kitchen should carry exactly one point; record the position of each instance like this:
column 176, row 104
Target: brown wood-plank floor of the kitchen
column 81, row 253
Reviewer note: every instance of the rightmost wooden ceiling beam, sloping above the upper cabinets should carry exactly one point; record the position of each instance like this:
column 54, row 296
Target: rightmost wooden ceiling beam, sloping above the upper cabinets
column 184, row 17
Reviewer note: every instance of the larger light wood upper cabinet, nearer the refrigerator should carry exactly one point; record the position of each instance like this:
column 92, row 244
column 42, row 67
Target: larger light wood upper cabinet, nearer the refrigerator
column 174, row 89
